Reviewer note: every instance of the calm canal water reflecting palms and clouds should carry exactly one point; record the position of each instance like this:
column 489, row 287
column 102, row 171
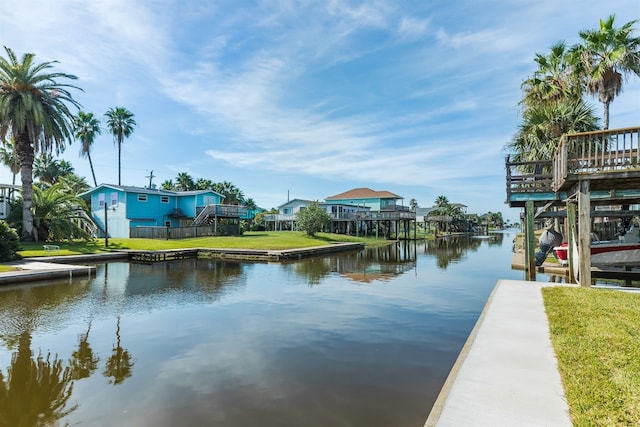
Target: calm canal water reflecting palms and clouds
column 354, row 339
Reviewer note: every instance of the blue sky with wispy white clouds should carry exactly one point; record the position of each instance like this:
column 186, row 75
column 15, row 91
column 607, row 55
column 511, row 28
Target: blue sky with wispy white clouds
column 307, row 99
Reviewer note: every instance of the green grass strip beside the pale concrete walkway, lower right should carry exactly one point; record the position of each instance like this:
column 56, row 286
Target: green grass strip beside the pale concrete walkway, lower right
column 596, row 337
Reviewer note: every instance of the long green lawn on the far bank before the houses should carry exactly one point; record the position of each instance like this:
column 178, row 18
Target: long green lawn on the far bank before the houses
column 277, row 240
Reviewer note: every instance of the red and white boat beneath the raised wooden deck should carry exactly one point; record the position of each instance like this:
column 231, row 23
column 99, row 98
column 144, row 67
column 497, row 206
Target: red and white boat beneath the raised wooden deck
column 622, row 252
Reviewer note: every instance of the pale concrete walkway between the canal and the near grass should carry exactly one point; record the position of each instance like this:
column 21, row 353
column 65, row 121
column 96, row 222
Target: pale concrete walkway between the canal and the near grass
column 506, row 374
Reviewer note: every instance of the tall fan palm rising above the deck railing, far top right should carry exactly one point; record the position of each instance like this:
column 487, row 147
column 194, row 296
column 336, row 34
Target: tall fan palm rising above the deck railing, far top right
column 605, row 57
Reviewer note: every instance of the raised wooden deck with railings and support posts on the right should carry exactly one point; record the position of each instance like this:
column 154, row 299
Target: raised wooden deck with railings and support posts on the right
column 593, row 174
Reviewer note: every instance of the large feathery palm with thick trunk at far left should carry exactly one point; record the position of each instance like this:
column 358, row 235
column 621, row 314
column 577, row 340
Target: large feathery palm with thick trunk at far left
column 34, row 111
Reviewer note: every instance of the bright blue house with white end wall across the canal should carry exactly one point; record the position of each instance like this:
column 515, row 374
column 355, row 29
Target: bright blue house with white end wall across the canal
column 127, row 207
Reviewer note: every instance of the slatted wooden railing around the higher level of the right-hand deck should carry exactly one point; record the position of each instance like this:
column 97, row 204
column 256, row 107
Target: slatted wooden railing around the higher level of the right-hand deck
column 606, row 151
